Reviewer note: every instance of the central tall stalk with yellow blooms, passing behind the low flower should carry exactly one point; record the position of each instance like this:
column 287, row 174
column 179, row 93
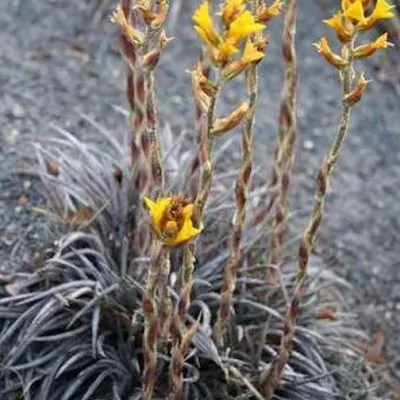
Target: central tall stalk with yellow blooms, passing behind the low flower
column 237, row 23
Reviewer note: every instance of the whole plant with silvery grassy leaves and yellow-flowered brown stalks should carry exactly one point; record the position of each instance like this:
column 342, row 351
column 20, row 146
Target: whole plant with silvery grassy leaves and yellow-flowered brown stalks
column 191, row 311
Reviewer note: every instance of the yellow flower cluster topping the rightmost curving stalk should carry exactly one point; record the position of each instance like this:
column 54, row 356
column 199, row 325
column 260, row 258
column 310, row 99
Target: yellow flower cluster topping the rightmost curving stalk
column 347, row 23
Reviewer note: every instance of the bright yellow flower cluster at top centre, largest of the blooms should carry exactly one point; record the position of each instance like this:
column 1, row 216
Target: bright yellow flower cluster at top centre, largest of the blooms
column 238, row 23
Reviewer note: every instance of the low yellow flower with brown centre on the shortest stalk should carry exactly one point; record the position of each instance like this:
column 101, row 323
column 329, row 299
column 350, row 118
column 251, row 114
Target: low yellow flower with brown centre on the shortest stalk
column 171, row 218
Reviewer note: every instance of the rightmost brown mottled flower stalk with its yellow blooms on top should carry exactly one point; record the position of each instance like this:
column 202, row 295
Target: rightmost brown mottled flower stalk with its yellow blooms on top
column 352, row 23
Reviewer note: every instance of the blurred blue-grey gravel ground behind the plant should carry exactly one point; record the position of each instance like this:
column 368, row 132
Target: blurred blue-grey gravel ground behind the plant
column 59, row 59
